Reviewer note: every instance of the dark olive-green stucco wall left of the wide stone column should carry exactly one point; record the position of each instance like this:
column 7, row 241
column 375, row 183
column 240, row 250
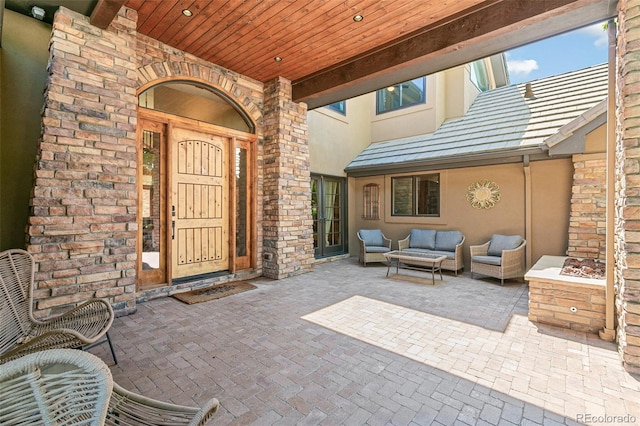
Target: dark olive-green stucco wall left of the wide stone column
column 24, row 52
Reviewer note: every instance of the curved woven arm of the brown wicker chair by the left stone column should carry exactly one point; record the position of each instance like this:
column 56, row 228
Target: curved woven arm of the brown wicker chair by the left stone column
column 90, row 320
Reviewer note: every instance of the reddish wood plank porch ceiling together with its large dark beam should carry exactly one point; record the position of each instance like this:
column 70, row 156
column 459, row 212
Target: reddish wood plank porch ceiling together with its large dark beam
column 329, row 56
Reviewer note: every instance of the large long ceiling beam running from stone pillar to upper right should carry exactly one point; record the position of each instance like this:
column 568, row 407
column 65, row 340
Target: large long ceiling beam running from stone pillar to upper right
column 492, row 28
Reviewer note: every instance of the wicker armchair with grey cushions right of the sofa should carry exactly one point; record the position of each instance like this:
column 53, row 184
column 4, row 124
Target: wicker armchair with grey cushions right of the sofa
column 501, row 257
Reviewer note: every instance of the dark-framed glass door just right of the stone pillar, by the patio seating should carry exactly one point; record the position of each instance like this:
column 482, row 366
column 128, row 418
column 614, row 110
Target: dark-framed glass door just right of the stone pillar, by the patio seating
column 328, row 209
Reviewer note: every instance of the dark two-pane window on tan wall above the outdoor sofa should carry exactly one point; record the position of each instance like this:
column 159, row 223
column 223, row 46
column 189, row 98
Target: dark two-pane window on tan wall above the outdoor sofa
column 416, row 195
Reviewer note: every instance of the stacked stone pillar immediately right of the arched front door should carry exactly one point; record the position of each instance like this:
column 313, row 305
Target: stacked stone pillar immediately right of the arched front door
column 287, row 224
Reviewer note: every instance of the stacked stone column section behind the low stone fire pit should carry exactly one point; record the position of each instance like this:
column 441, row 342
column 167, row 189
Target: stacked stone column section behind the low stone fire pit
column 587, row 222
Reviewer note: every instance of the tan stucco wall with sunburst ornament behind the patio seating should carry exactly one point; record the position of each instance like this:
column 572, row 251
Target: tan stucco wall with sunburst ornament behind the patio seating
column 549, row 211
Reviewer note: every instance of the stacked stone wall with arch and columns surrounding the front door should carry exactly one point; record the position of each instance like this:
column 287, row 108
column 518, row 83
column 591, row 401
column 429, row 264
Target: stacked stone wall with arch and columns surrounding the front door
column 83, row 227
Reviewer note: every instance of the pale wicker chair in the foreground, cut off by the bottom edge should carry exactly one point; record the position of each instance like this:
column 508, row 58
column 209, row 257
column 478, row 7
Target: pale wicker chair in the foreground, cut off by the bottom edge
column 64, row 386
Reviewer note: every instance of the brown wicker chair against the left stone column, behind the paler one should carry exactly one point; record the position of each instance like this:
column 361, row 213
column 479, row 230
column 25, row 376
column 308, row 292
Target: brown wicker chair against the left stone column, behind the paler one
column 80, row 327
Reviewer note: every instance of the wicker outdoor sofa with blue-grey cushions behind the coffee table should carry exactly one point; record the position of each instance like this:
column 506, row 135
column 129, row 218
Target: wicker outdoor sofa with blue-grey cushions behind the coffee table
column 446, row 243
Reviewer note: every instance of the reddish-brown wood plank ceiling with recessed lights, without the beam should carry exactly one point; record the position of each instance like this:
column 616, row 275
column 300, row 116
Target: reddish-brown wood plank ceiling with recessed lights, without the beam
column 309, row 35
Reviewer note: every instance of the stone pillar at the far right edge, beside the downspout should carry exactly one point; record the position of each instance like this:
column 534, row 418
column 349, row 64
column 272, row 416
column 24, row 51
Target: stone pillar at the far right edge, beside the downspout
column 627, row 200
